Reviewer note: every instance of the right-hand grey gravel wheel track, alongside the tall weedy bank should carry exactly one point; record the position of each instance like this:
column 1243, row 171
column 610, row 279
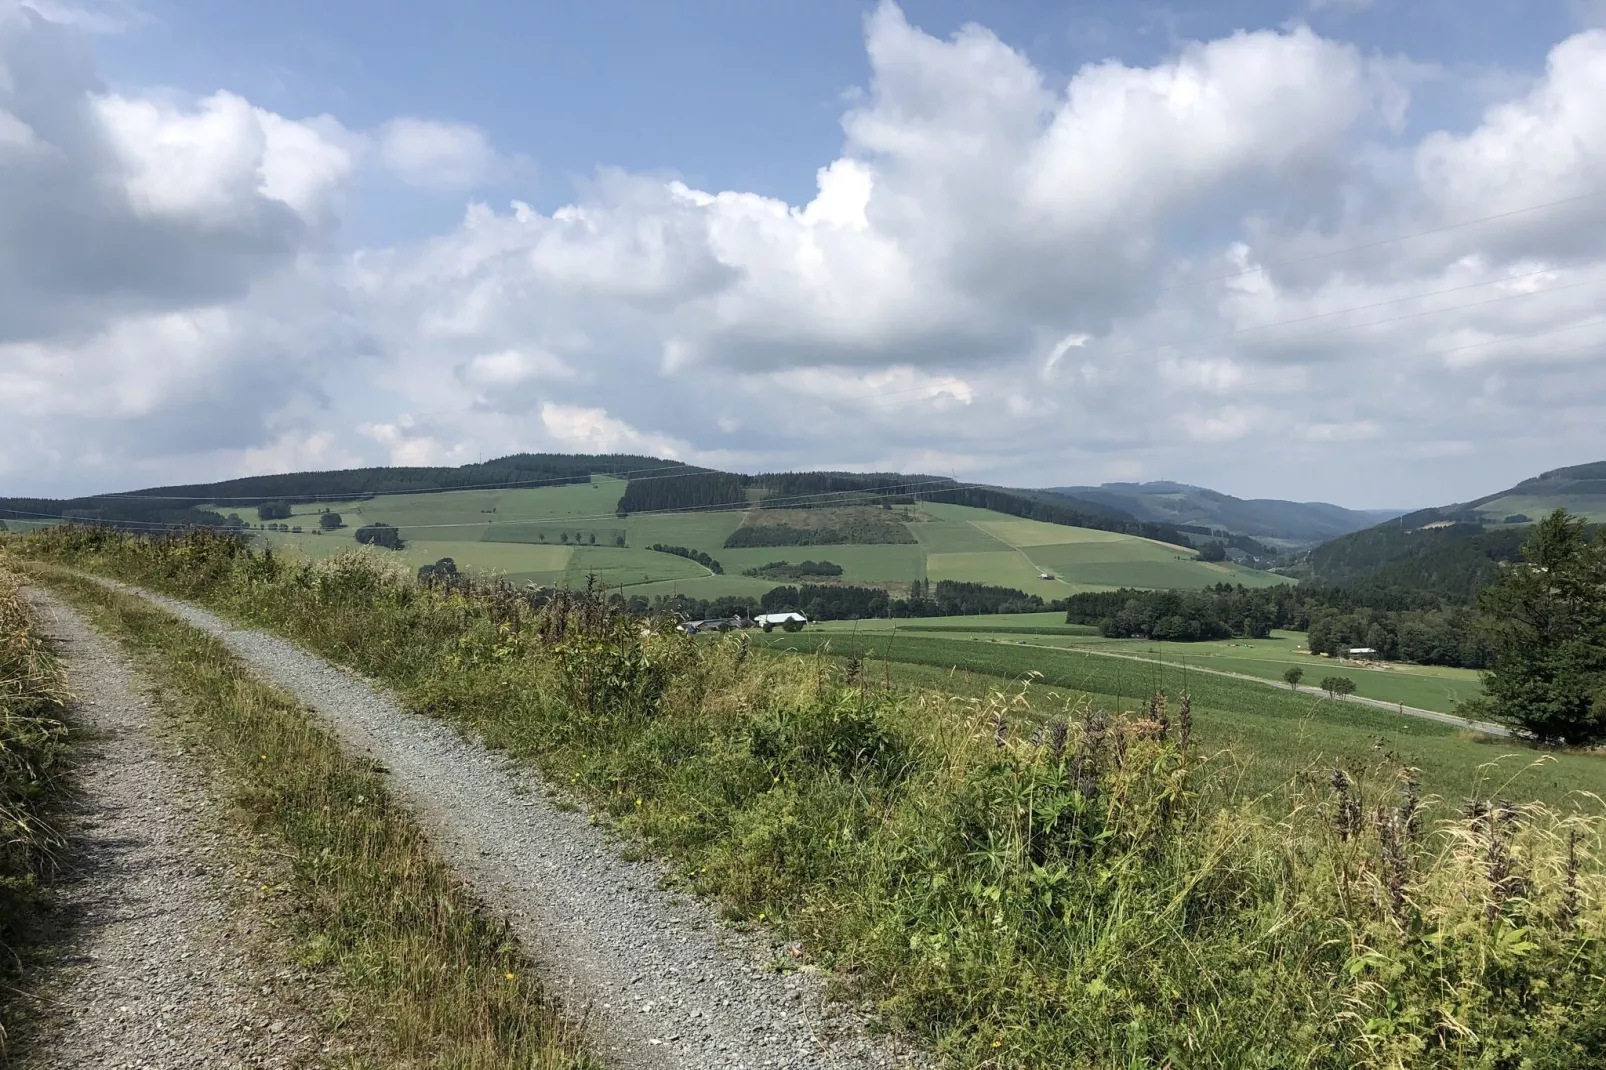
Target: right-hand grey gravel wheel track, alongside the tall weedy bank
column 659, row 981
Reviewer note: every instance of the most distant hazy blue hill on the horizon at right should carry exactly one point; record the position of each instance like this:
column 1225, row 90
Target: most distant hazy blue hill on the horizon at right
column 1287, row 523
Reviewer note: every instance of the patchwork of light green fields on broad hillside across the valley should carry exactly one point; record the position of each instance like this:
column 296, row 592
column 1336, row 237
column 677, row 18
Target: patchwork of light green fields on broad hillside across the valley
column 569, row 533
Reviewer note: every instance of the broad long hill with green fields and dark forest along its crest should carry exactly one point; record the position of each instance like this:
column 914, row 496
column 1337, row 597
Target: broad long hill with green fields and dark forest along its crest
column 560, row 520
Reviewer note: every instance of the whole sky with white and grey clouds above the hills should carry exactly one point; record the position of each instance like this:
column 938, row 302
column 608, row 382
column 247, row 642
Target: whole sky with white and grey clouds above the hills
column 1305, row 250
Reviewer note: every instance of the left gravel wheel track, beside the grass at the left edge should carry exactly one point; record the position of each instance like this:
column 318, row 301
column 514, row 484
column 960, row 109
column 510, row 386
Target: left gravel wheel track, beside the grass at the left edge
column 157, row 966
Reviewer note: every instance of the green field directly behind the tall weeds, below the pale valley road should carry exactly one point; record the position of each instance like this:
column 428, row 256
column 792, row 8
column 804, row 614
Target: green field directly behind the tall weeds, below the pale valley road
column 1286, row 732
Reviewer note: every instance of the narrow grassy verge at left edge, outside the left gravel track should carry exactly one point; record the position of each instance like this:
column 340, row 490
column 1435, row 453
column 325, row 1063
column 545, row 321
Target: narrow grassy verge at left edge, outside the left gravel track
column 35, row 769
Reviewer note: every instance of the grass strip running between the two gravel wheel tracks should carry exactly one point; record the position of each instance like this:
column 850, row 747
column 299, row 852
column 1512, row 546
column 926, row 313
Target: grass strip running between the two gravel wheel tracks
column 439, row 984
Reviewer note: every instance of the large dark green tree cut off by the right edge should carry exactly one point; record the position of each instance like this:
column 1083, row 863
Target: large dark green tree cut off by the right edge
column 1546, row 619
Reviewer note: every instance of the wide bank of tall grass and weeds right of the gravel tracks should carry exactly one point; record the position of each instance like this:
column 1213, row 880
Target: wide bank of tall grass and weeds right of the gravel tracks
column 1086, row 892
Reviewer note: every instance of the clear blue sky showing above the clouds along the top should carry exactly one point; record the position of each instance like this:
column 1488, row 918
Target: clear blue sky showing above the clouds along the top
column 728, row 94
